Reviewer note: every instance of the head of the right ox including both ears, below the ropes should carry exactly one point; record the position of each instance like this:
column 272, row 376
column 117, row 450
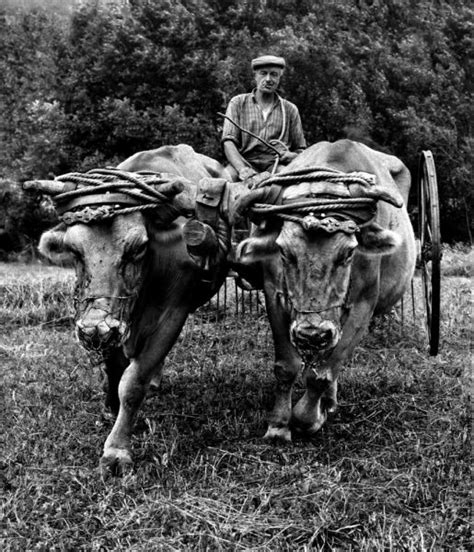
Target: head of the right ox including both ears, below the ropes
column 310, row 258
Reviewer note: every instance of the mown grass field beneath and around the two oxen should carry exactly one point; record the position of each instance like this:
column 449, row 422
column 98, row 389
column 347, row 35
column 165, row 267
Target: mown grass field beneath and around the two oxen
column 389, row 471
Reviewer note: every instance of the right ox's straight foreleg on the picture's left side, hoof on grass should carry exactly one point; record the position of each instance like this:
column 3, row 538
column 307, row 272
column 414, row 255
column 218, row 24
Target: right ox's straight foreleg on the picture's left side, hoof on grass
column 286, row 368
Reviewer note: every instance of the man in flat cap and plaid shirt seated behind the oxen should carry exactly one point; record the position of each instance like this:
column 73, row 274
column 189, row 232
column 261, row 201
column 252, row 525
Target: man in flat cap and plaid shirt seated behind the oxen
column 265, row 114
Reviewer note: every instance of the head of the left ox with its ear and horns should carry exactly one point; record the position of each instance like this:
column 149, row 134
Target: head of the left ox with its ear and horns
column 110, row 255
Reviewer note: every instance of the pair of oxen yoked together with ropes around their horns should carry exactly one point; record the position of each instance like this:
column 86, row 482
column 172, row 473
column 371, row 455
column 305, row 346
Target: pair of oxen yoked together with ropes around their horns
column 331, row 246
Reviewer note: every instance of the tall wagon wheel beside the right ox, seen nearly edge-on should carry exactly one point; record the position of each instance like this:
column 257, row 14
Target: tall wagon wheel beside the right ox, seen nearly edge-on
column 430, row 245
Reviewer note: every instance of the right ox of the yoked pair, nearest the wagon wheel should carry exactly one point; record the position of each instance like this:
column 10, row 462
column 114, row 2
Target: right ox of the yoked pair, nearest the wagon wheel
column 325, row 275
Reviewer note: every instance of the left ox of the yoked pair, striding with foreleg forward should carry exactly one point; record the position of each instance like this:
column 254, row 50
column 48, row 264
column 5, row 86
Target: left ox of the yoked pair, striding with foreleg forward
column 136, row 283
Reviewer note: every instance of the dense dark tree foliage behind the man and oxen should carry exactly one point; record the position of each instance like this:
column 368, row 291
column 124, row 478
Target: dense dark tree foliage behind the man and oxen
column 89, row 89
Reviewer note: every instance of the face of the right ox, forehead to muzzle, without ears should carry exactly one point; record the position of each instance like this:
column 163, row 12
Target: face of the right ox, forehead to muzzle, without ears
column 316, row 269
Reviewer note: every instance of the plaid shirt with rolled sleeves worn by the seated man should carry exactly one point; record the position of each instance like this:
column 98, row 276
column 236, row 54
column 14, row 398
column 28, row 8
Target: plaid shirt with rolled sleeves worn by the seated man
column 246, row 112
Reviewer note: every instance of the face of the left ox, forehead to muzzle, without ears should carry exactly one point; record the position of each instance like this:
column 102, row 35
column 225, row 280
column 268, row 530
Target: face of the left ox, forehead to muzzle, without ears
column 110, row 257
